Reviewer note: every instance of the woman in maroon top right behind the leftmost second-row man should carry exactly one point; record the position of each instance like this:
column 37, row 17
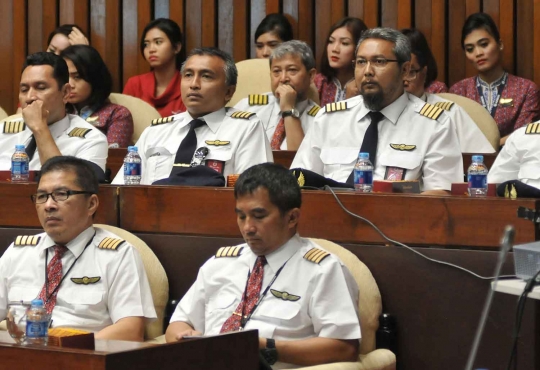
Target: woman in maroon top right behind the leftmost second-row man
column 91, row 85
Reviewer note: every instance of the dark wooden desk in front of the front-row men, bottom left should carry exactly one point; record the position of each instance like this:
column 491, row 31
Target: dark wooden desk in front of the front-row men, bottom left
column 221, row 352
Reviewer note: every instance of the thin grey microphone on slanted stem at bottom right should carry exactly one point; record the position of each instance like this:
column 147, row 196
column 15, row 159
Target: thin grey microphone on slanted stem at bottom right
column 506, row 243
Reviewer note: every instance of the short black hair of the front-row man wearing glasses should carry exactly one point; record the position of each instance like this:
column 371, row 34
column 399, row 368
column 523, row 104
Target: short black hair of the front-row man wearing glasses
column 85, row 175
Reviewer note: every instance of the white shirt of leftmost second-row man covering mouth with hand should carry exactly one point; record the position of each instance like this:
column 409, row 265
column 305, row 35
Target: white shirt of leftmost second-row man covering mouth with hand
column 73, row 136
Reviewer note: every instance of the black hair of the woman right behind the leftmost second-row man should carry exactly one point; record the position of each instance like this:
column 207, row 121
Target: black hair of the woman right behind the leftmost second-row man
column 91, row 68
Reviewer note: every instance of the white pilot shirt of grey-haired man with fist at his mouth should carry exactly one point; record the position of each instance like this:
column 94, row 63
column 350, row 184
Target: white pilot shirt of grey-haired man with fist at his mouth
column 266, row 106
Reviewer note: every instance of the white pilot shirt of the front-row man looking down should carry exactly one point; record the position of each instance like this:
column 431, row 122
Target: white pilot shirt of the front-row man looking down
column 309, row 298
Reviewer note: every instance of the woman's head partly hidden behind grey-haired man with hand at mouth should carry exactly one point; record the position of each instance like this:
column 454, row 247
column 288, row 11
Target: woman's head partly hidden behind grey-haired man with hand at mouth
column 272, row 31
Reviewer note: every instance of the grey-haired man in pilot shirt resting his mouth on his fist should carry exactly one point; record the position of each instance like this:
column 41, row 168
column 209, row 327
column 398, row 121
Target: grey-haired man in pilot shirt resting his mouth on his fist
column 286, row 112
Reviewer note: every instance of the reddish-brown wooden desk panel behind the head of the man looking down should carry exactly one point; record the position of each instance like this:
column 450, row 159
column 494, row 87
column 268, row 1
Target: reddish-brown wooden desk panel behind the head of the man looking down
column 414, row 219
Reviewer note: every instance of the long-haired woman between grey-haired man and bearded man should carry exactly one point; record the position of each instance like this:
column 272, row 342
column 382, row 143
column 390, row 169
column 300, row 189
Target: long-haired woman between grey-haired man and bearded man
column 337, row 67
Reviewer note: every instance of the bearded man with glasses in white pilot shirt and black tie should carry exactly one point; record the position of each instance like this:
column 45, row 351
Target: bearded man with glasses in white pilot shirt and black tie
column 406, row 138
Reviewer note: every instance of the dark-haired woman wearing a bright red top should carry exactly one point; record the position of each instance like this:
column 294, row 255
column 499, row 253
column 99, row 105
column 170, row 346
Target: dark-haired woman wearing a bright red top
column 161, row 46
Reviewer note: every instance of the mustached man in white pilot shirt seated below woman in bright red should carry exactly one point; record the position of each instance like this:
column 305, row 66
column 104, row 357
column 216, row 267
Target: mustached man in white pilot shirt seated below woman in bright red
column 235, row 140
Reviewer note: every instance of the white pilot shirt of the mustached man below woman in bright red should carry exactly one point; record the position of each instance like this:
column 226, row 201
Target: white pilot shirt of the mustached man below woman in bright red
column 235, row 143
